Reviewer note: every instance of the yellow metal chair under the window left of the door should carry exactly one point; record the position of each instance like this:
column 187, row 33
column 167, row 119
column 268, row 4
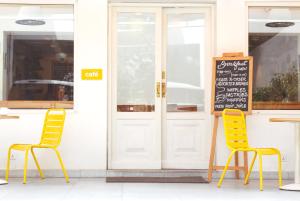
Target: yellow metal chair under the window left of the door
column 51, row 137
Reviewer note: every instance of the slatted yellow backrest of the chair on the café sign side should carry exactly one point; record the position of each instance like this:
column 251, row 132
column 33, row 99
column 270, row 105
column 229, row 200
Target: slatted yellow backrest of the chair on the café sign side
column 53, row 127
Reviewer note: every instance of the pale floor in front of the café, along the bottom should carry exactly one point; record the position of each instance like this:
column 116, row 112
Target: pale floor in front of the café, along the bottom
column 97, row 190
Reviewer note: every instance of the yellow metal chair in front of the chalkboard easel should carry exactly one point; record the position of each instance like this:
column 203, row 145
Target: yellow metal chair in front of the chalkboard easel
column 237, row 140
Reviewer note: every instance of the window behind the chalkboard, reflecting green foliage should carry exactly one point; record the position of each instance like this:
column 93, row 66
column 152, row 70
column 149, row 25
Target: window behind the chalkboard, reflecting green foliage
column 274, row 43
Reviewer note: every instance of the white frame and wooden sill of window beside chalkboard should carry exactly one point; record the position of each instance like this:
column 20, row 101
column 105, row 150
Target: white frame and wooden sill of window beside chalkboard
column 269, row 107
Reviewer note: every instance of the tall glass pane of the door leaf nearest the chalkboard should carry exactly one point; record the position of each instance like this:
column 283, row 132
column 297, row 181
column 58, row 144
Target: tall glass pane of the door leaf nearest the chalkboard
column 185, row 62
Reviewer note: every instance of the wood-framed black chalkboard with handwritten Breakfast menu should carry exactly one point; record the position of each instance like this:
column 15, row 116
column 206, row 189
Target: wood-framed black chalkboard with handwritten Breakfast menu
column 232, row 83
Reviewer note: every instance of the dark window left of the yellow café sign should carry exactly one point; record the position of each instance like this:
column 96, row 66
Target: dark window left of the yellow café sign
column 38, row 56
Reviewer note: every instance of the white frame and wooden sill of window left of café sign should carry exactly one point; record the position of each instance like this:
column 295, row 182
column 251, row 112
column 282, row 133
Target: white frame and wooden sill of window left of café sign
column 40, row 104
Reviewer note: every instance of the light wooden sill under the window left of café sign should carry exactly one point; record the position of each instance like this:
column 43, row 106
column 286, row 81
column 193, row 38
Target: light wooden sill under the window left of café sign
column 37, row 104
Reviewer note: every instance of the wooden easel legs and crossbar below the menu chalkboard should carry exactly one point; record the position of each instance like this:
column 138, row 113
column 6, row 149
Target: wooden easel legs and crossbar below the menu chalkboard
column 213, row 167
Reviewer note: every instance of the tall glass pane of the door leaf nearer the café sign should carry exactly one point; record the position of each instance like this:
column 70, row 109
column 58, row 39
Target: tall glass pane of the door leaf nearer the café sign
column 136, row 62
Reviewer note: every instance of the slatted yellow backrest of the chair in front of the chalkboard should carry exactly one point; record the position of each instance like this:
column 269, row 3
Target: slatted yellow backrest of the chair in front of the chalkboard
column 235, row 128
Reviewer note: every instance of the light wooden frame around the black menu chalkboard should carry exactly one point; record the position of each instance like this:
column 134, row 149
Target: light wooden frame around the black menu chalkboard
column 232, row 57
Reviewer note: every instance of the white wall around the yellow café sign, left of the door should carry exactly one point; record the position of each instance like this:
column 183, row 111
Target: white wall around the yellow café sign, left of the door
column 85, row 137
